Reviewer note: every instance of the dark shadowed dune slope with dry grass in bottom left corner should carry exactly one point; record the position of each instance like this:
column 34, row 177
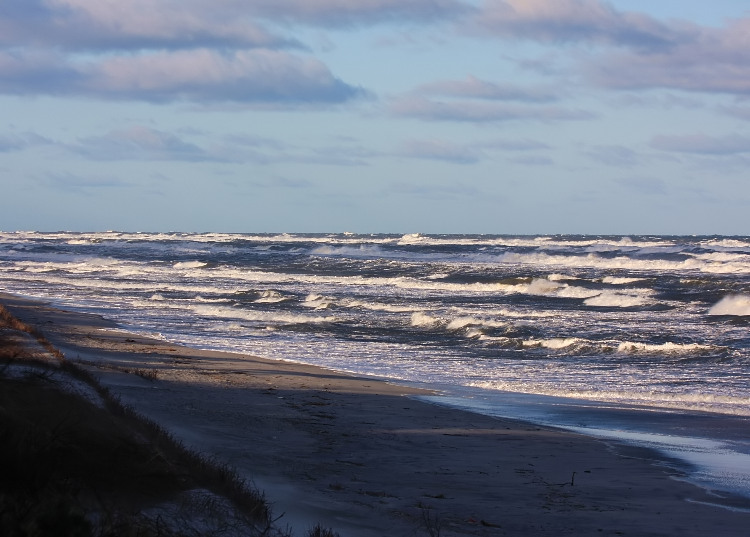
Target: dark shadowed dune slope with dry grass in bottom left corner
column 78, row 462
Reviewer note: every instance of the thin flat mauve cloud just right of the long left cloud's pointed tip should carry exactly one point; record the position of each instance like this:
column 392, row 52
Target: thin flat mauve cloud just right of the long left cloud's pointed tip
column 480, row 112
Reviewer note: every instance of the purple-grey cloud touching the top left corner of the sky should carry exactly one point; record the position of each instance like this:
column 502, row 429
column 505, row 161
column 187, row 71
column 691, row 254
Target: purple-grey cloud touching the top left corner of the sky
column 131, row 25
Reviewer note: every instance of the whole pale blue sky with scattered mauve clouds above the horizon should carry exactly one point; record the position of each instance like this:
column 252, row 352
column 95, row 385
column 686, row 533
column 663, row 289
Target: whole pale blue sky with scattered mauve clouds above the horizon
column 376, row 116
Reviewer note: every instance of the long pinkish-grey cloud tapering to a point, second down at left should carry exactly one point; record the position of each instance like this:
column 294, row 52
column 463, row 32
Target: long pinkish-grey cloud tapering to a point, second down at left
column 197, row 75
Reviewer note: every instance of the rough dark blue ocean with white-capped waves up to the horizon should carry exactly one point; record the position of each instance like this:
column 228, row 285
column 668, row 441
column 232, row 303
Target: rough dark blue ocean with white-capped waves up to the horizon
column 640, row 338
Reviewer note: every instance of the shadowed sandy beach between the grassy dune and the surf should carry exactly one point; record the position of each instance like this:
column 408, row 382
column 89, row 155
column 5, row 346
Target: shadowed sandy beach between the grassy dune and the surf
column 368, row 458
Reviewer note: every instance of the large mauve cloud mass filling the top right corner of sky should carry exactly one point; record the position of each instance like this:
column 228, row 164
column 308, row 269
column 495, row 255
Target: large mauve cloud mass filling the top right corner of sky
column 633, row 51
